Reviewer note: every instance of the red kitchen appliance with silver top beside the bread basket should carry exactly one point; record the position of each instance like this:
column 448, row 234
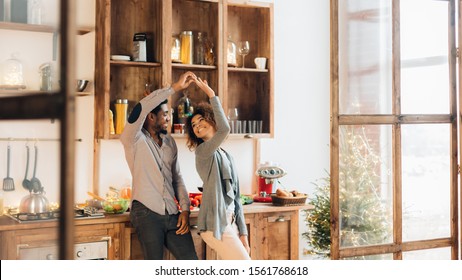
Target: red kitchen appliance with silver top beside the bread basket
column 267, row 174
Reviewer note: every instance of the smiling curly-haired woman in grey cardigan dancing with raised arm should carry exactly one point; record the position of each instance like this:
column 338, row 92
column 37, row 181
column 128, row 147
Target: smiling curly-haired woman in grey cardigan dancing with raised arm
column 221, row 221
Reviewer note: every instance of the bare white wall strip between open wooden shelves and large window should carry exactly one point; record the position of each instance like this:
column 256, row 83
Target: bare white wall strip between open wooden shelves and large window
column 302, row 89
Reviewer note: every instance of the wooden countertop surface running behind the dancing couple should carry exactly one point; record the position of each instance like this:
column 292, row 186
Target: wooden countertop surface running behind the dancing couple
column 7, row 223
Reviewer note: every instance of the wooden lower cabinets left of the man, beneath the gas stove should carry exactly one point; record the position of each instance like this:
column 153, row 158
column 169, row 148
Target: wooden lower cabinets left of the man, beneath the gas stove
column 40, row 240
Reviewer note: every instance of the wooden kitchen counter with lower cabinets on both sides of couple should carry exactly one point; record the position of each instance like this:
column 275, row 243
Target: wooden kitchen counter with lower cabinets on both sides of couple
column 267, row 224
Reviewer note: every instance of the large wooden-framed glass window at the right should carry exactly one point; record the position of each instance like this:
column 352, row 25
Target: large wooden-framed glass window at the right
column 394, row 149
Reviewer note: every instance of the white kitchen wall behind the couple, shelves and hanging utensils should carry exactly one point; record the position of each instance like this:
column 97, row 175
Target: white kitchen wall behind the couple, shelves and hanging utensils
column 300, row 145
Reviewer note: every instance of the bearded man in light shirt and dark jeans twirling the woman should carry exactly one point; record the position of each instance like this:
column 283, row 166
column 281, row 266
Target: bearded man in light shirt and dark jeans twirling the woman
column 157, row 184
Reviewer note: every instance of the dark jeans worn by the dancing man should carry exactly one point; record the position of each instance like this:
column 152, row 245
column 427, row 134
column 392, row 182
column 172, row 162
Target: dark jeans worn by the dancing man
column 156, row 231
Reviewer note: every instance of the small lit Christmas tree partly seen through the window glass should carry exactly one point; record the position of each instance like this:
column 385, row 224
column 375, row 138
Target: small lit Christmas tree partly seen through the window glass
column 363, row 217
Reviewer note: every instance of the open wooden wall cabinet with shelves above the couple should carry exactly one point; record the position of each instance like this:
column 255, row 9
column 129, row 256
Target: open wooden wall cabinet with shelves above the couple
column 248, row 89
